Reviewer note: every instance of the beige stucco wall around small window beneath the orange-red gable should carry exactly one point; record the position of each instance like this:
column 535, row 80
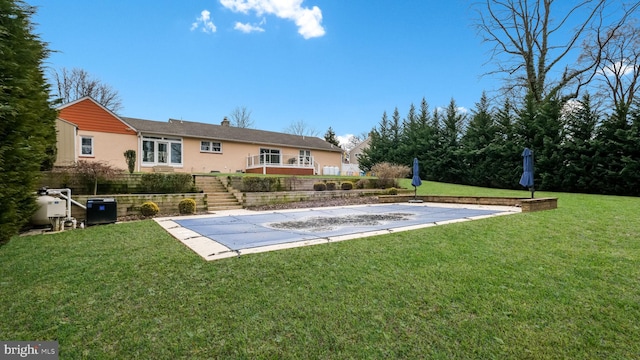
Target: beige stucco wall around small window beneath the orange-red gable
column 108, row 147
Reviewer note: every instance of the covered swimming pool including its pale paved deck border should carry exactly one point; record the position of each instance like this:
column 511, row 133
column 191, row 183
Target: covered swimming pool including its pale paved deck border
column 232, row 233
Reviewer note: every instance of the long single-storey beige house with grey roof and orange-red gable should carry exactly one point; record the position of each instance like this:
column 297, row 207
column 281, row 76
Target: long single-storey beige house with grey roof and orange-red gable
column 186, row 146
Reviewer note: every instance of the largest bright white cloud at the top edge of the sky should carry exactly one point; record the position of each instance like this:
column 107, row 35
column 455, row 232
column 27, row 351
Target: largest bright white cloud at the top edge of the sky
column 308, row 20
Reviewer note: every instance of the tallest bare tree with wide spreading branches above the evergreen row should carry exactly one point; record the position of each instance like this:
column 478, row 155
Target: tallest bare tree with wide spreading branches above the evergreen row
column 534, row 40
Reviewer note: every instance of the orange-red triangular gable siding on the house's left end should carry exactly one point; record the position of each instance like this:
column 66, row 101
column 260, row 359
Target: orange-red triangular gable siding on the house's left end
column 92, row 117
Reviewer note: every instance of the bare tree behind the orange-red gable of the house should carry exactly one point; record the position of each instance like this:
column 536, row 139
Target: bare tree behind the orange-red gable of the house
column 77, row 83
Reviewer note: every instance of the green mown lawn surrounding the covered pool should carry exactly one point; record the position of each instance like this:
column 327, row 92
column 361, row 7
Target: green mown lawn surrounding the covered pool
column 545, row 285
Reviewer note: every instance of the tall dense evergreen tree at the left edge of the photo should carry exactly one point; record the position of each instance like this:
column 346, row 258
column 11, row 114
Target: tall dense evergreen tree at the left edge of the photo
column 27, row 129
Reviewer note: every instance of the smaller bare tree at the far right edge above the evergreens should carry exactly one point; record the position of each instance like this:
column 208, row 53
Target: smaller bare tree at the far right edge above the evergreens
column 619, row 68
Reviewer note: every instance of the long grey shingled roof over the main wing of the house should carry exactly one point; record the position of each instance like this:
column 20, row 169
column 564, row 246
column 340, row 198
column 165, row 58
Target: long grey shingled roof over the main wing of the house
column 228, row 133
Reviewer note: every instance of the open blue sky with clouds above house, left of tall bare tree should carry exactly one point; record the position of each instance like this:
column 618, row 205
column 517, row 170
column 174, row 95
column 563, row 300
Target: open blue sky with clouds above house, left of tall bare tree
column 327, row 63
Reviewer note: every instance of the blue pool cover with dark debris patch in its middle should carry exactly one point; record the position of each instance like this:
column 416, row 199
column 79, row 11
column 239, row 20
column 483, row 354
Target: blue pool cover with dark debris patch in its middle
column 239, row 232
